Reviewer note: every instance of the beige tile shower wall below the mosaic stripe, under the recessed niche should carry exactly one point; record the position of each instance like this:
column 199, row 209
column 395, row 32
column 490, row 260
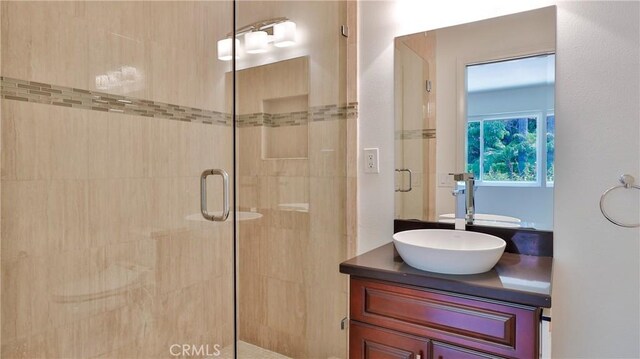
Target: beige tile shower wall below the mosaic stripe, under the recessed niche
column 289, row 258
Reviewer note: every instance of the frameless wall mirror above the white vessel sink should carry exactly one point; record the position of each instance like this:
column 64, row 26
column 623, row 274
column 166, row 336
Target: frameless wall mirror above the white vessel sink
column 477, row 98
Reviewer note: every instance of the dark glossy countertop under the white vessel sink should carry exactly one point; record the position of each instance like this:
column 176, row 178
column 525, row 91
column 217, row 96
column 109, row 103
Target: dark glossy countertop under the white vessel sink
column 517, row 278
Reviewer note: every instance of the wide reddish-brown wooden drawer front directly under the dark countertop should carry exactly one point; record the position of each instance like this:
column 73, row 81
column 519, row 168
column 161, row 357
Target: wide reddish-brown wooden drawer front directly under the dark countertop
column 507, row 330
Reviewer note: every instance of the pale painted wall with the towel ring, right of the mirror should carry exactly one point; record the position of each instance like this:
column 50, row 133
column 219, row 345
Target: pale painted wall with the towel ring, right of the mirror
column 596, row 283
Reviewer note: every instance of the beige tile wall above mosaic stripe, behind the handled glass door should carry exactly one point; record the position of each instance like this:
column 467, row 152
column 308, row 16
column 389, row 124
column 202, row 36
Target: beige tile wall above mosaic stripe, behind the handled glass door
column 172, row 44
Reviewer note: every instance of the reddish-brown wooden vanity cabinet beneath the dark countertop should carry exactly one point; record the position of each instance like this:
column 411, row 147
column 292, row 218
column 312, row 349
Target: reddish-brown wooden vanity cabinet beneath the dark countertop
column 390, row 320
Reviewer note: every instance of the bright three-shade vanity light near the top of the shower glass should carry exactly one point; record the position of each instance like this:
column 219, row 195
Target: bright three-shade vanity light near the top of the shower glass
column 281, row 32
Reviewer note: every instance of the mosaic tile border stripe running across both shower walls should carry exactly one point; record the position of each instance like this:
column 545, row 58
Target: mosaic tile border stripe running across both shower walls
column 31, row 91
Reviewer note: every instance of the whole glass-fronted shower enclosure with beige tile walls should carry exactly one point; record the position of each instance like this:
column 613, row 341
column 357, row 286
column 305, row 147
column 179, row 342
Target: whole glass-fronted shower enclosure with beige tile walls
column 112, row 113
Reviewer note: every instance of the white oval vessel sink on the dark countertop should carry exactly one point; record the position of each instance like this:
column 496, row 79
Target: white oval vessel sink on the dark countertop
column 449, row 251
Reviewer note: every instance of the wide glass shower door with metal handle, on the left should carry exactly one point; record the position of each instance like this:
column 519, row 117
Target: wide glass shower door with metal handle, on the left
column 111, row 111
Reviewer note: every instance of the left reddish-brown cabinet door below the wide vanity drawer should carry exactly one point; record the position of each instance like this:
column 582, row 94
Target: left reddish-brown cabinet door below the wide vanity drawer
column 369, row 342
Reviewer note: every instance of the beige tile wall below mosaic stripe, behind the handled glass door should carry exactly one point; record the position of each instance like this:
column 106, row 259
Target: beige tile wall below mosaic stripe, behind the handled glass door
column 68, row 234
